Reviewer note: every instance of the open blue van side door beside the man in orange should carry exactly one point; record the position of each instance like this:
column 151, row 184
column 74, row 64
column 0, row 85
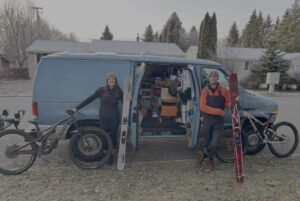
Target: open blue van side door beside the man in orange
column 192, row 108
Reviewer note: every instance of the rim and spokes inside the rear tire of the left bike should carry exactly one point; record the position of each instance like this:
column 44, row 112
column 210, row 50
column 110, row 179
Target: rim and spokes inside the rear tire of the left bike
column 10, row 160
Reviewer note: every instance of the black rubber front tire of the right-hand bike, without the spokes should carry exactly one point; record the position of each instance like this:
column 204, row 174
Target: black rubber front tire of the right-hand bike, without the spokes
column 294, row 146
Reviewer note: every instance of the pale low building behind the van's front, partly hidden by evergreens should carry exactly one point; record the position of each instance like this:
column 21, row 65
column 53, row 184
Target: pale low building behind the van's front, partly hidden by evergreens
column 240, row 60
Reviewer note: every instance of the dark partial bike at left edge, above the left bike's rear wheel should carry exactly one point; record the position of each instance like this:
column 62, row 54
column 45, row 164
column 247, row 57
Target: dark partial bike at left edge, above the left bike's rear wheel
column 6, row 122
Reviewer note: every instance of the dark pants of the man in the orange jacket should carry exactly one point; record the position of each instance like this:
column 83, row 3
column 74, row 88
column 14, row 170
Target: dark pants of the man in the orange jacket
column 213, row 131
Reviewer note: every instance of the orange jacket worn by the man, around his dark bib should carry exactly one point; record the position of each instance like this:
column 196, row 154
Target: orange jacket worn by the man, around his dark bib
column 210, row 110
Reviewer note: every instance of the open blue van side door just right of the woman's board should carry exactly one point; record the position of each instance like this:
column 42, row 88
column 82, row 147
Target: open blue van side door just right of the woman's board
column 137, row 73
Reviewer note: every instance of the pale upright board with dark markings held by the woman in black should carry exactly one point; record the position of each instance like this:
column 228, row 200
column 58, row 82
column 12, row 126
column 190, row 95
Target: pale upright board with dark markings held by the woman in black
column 124, row 123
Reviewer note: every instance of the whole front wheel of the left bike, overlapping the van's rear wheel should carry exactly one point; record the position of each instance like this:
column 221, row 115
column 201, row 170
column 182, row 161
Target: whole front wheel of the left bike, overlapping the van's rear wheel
column 85, row 158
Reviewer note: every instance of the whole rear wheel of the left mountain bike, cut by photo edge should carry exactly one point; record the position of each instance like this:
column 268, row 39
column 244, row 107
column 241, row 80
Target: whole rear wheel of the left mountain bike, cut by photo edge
column 8, row 142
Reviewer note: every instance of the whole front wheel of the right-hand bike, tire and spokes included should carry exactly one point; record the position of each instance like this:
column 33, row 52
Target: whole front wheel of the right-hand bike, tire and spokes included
column 293, row 139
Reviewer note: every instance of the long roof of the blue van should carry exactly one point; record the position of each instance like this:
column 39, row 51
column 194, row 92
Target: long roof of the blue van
column 123, row 57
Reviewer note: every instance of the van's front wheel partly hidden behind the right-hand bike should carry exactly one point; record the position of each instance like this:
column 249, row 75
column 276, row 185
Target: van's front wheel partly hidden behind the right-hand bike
column 254, row 143
